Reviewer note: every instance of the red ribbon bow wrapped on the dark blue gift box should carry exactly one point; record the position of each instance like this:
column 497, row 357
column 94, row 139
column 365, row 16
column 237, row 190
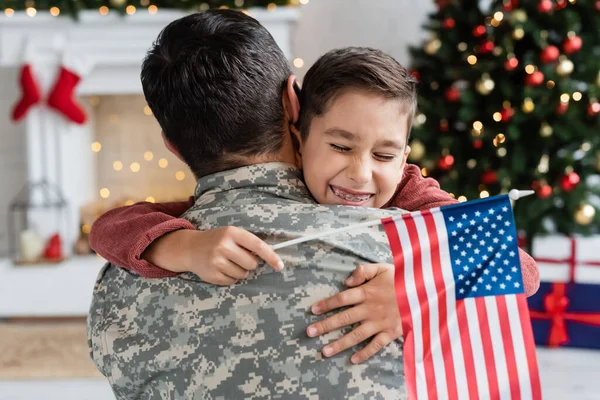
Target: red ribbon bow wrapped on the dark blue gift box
column 556, row 303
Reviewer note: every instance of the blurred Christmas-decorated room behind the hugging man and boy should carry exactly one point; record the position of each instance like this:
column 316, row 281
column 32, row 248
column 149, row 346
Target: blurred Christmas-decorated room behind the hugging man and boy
column 509, row 98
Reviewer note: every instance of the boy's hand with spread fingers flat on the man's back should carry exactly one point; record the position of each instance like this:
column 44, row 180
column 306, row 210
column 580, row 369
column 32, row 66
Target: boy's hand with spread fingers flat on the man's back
column 375, row 308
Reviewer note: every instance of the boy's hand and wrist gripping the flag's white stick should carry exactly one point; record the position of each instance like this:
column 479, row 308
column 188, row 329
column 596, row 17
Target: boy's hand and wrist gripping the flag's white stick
column 220, row 256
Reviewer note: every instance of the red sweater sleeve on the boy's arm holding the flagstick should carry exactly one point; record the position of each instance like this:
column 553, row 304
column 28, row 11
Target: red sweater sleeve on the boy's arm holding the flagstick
column 123, row 234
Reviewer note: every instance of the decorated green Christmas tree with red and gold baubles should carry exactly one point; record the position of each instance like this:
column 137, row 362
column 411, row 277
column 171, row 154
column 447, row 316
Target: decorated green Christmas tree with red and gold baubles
column 509, row 99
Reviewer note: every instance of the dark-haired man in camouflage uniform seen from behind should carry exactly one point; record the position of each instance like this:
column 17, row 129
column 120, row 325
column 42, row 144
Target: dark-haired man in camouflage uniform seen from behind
column 185, row 339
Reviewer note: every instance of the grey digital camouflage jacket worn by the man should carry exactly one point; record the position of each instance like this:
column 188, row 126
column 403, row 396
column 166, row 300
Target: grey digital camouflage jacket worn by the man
column 181, row 338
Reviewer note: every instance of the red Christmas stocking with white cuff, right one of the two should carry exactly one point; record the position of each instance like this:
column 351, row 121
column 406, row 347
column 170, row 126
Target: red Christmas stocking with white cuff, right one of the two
column 62, row 97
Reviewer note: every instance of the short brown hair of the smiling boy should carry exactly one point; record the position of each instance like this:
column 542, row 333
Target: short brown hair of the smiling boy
column 350, row 68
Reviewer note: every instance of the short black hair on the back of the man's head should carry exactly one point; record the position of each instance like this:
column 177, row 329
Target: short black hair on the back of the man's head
column 214, row 82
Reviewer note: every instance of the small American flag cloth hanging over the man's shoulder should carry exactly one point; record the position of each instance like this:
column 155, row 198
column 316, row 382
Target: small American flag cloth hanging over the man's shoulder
column 460, row 294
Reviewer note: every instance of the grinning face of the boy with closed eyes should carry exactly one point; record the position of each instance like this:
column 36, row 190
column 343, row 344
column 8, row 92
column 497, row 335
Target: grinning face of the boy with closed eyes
column 356, row 151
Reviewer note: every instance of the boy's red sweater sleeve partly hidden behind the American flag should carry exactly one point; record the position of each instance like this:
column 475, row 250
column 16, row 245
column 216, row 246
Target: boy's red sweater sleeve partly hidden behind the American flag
column 418, row 193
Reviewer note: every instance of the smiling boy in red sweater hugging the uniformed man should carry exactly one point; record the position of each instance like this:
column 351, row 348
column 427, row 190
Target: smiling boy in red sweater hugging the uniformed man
column 353, row 144
